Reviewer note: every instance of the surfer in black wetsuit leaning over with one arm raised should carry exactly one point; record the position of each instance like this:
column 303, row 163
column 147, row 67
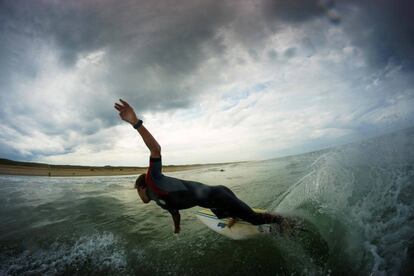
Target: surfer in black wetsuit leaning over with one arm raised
column 173, row 194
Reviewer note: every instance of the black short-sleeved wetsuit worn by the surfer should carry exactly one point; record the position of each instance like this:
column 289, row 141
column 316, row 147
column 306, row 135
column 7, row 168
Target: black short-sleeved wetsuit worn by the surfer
column 174, row 194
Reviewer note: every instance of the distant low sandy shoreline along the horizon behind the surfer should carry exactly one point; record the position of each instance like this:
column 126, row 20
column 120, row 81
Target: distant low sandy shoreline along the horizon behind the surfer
column 10, row 167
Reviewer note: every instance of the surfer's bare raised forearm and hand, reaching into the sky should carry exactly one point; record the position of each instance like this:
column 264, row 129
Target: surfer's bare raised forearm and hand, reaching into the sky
column 127, row 113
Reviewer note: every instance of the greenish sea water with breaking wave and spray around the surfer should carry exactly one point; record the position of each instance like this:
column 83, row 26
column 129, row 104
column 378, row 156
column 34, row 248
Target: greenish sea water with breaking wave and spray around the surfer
column 357, row 201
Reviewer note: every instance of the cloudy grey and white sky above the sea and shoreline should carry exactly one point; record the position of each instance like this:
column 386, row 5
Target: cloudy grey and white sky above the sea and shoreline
column 214, row 81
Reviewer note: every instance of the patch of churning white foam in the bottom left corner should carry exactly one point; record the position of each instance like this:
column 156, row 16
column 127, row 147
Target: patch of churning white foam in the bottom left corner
column 100, row 252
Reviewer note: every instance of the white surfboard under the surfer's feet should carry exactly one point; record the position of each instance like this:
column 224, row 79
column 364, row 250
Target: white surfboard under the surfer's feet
column 239, row 231
